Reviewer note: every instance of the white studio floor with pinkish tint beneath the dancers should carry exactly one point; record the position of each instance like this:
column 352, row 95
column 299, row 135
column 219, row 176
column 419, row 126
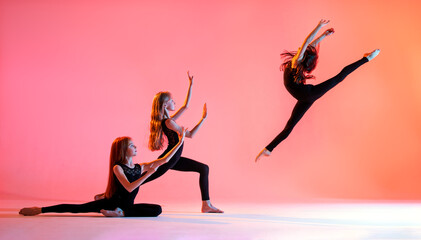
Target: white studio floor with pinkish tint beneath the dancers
column 246, row 221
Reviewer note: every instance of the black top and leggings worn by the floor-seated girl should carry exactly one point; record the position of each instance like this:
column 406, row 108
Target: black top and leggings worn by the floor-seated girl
column 121, row 198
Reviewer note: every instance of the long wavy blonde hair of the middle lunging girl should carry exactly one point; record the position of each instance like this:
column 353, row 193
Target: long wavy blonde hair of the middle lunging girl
column 156, row 138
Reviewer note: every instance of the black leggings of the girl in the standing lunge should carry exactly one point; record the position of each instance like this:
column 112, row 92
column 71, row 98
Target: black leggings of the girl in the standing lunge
column 186, row 165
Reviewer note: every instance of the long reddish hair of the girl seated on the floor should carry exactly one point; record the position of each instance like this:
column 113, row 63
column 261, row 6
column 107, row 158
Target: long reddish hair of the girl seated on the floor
column 117, row 156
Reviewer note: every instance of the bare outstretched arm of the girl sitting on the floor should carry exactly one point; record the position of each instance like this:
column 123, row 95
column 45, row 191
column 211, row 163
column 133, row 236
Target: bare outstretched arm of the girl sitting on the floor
column 150, row 167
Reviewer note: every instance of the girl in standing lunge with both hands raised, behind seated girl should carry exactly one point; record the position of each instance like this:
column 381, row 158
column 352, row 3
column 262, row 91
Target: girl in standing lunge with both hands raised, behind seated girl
column 163, row 124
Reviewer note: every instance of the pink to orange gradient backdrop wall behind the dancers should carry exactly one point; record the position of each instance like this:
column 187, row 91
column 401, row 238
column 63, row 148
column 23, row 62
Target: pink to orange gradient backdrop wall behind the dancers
column 74, row 75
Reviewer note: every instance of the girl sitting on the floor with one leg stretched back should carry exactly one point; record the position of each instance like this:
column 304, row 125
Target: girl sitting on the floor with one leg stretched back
column 124, row 180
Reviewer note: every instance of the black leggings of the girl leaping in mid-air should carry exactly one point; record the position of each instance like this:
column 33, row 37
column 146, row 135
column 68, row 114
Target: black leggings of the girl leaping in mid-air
column 307, row 95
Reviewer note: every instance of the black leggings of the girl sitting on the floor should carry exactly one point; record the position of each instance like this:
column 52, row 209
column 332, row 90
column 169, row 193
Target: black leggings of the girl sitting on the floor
column 133, row 210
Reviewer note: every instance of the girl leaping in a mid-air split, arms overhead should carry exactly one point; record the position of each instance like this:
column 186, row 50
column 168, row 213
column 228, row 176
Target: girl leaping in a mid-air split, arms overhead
column 297, row 68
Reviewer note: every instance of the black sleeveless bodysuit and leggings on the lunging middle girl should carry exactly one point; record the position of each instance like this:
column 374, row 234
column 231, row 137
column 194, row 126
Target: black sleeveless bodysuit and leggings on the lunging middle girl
column 181, row 163
